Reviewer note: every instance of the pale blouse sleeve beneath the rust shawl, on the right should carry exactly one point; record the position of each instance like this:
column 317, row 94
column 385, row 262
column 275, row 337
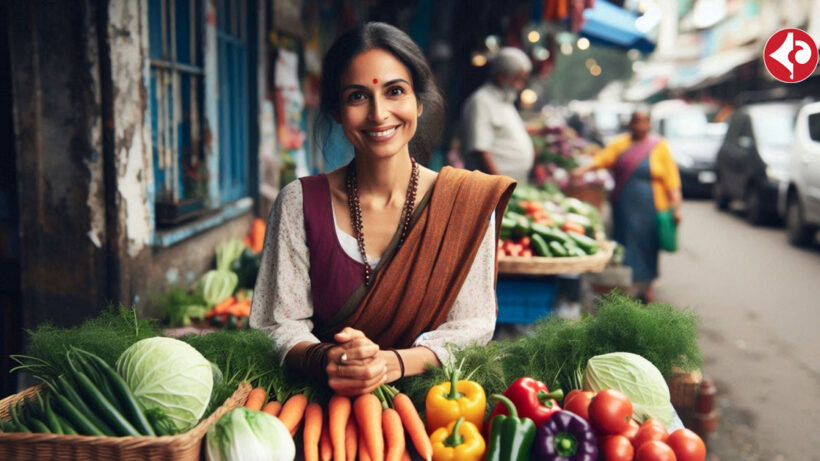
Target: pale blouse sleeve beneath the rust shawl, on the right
column 472, row 318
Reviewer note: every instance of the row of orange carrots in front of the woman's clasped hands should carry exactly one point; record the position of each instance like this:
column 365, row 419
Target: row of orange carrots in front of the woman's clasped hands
column 370, row 427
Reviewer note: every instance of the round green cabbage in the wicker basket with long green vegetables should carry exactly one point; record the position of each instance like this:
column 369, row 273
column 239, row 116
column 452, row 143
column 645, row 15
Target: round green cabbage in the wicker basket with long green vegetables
column 169, row 374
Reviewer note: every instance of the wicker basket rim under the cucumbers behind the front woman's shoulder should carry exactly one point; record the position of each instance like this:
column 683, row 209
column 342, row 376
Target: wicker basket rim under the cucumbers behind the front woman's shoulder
column 537, row 265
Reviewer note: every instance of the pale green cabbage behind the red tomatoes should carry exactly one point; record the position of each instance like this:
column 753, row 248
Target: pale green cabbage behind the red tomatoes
column 636, row 377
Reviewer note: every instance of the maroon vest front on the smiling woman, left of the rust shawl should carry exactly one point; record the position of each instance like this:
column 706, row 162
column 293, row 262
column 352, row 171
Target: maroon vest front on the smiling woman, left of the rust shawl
column 334, row 275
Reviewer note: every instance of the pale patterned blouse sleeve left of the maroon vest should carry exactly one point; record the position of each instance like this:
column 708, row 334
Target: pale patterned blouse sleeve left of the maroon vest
column 282, row 301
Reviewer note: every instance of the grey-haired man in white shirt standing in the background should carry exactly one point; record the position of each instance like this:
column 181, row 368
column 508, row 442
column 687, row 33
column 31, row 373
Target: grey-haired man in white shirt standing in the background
column 494, row 137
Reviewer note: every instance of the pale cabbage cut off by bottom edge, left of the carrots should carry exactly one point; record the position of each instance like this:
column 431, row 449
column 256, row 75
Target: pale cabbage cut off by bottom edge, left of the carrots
column 249, row 435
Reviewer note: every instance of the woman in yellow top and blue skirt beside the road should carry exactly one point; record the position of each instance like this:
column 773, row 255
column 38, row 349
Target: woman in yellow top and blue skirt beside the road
column 646, row 181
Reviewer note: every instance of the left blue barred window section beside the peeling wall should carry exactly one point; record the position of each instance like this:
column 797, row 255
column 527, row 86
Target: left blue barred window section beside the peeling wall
column 175, row 92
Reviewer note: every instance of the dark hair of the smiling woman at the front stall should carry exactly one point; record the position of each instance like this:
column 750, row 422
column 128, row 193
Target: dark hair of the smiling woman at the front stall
column 378, row 35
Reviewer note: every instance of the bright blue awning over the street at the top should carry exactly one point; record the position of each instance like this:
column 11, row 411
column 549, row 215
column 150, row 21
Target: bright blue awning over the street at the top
column 609, row 25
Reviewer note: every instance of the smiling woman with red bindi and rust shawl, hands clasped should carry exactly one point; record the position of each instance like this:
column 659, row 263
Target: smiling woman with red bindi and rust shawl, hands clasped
column 370, row 270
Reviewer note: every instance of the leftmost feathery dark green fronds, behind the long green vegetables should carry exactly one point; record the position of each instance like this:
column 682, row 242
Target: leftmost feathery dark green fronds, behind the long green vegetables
column 106, row 335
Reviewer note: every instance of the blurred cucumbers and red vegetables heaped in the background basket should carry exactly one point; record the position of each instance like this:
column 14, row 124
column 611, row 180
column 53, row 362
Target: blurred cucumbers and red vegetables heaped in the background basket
column 545, row 223
